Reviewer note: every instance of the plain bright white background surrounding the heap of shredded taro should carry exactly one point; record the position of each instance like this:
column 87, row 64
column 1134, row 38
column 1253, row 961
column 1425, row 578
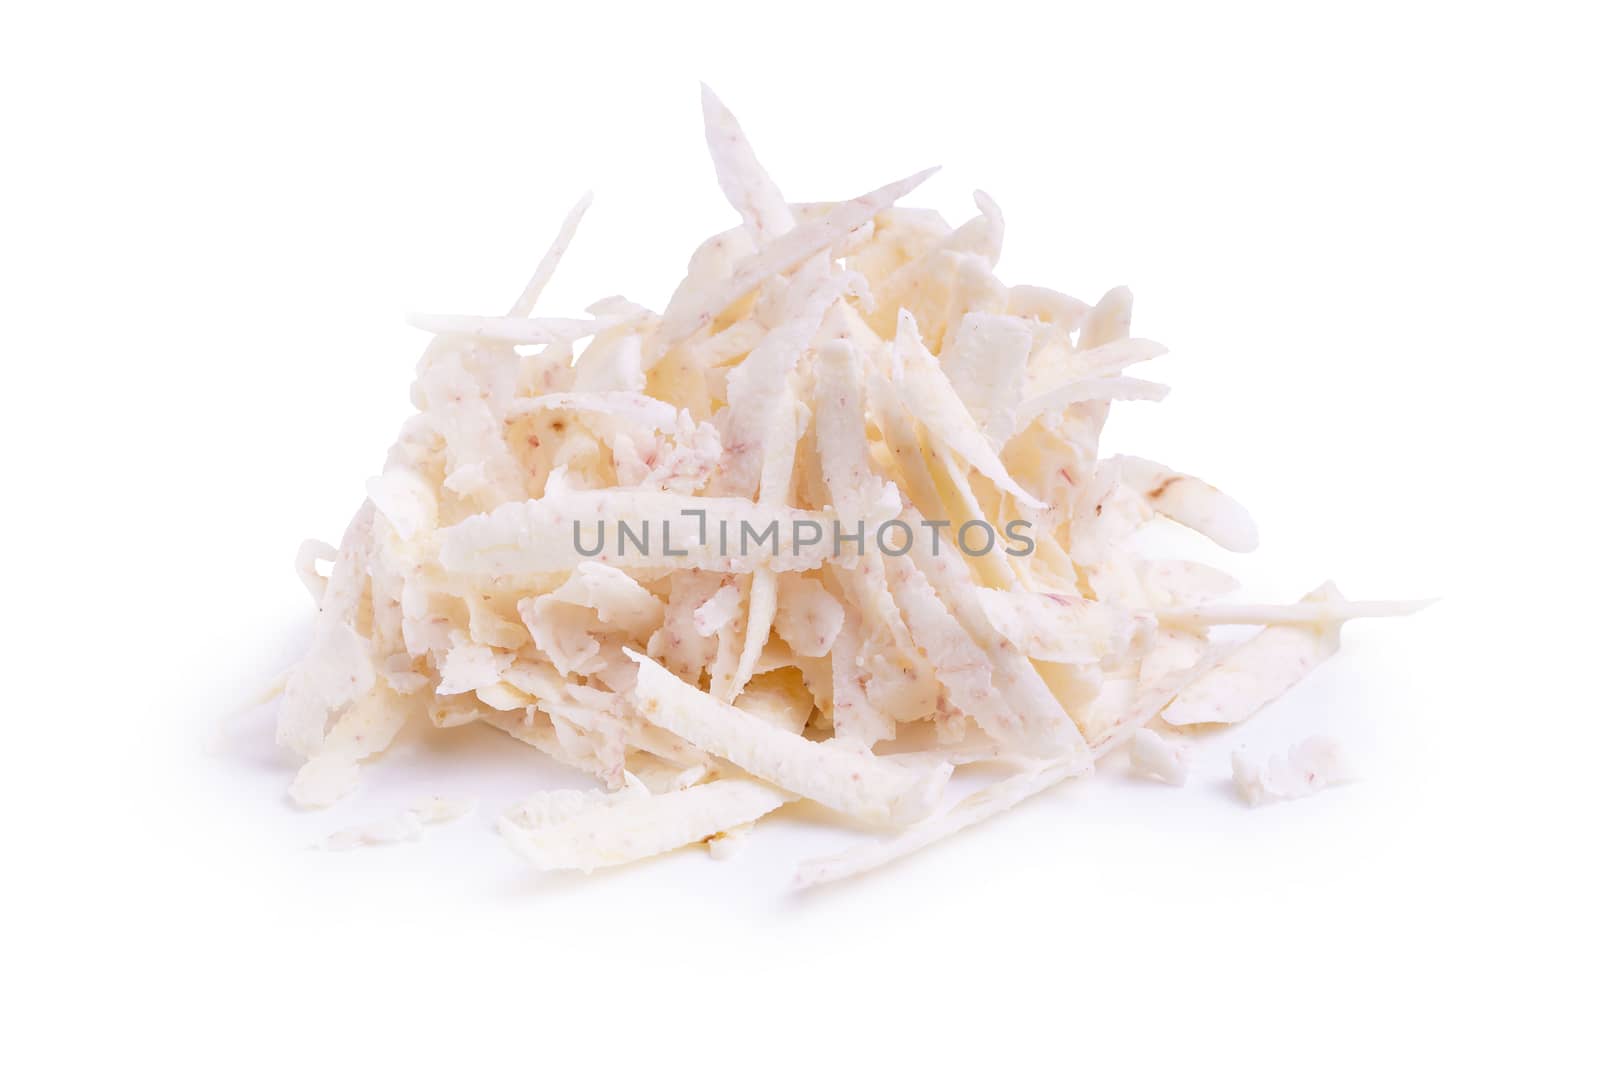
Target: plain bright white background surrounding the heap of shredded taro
column 1366, row 231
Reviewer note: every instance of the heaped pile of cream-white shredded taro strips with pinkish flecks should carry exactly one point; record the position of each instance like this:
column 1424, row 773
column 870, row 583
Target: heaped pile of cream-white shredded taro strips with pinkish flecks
column 836, row 367
